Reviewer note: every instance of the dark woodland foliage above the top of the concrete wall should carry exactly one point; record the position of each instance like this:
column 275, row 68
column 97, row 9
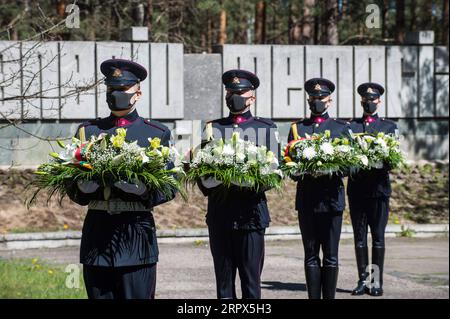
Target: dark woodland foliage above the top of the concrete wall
column 195, row 23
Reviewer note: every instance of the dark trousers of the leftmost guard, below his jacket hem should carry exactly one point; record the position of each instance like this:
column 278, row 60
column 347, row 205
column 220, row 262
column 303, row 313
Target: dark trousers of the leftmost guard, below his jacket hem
column 131, row 282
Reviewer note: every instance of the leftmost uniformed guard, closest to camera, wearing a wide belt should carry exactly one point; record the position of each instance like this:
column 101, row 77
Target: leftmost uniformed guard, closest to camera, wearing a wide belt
column 119, row 250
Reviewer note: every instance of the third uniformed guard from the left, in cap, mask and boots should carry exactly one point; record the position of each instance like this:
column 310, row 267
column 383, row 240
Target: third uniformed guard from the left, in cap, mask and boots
column 320, row 201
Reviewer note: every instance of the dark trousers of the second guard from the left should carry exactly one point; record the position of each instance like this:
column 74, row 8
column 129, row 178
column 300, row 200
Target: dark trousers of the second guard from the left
column 237, row 250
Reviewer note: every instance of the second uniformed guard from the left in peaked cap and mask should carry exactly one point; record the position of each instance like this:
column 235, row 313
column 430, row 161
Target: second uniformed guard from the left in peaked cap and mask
column 237, row 217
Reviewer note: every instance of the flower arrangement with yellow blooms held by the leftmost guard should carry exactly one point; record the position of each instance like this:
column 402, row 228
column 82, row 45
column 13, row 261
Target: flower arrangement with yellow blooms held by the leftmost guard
column 107, row 159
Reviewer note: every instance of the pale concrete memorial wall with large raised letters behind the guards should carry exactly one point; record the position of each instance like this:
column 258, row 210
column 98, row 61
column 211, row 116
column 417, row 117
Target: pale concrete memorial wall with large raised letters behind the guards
column 49, row 87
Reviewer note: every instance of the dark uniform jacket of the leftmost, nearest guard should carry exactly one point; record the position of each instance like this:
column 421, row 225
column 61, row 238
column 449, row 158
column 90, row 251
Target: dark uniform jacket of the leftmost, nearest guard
column 128, row 238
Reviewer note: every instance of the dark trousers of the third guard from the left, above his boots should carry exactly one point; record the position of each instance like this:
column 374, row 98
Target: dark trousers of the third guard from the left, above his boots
column 320, row 230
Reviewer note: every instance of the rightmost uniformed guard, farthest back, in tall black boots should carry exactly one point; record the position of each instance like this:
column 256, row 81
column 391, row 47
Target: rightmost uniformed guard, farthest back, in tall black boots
column 368, row 194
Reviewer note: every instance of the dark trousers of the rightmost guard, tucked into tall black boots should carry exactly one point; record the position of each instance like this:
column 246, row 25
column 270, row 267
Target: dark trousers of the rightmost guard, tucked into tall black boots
column 373, row 212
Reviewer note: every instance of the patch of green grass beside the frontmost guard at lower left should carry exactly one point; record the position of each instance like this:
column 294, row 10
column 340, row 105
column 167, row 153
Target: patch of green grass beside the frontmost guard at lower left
column 32, row 279
